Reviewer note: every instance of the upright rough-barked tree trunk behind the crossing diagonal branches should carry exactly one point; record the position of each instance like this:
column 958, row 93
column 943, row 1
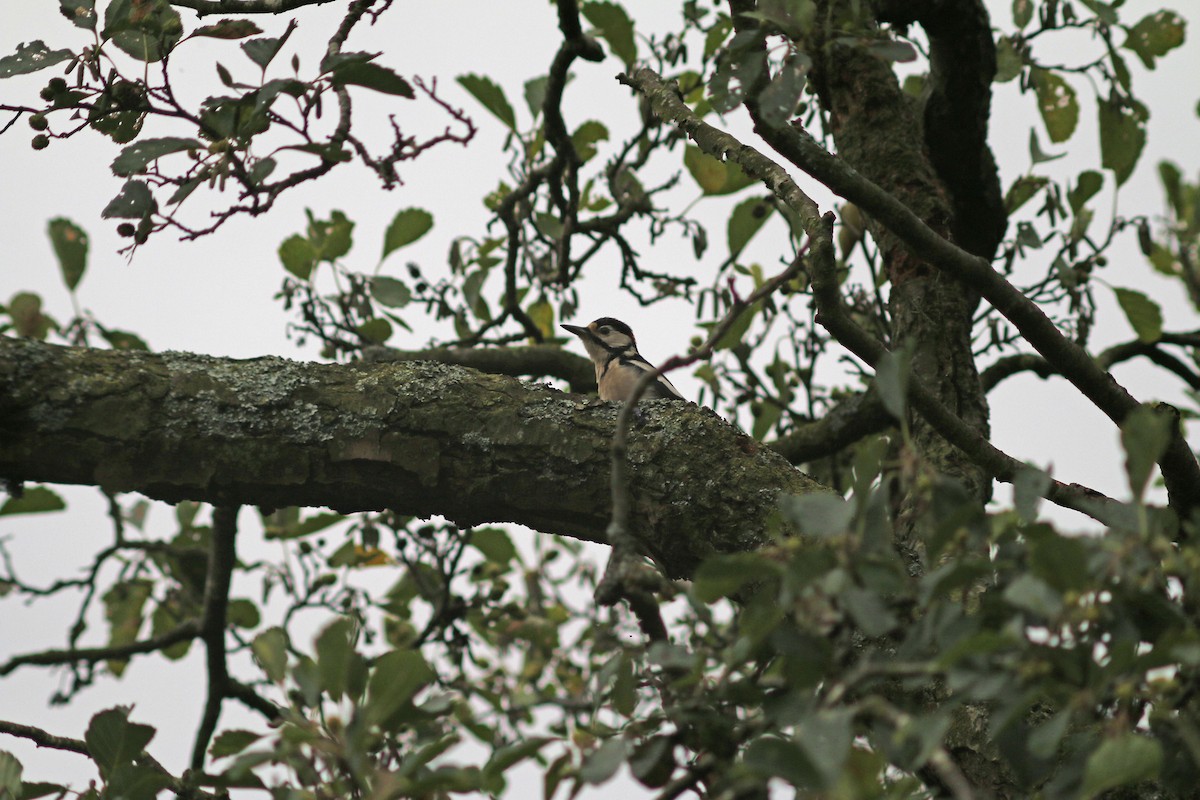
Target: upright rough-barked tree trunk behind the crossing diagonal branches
column 879, row 131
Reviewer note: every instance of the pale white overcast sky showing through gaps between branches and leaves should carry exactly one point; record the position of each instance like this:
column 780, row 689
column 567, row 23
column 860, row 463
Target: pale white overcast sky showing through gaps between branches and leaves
column 214, row 296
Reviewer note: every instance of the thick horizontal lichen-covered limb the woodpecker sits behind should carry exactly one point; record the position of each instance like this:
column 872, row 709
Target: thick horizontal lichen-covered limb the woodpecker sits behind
column 421, row 438
